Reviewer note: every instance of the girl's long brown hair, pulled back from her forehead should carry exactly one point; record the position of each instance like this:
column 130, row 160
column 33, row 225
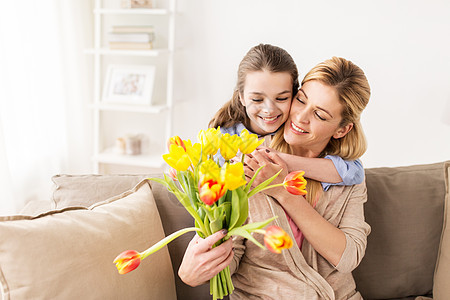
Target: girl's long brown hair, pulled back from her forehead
column 258, row 58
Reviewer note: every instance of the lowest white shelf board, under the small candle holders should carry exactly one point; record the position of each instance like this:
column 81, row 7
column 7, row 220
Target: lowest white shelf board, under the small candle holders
column 150, row 161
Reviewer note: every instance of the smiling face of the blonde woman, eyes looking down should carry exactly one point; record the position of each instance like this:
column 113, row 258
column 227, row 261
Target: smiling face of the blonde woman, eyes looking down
column 315, row 116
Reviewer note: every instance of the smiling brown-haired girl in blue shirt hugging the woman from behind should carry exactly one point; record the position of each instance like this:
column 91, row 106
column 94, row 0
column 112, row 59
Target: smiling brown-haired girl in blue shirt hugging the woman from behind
column 267, row 81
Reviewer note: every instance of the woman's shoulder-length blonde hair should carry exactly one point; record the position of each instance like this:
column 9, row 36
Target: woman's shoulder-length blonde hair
column 353, row 90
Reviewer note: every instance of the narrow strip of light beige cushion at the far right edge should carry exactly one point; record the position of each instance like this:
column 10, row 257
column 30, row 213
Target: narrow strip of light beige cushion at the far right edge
column 441, row 289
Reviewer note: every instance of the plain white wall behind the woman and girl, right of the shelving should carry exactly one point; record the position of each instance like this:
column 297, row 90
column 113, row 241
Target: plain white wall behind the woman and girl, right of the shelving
column 403, row 46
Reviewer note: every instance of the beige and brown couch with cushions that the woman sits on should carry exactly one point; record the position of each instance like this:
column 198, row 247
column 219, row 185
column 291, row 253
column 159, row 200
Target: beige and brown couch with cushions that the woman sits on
column 63, row 248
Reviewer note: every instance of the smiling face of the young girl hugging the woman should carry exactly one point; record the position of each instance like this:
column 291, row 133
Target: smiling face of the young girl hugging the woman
column 267, row 99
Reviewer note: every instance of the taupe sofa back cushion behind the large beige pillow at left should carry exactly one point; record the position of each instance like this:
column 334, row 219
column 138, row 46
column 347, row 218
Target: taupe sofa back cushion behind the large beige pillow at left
column 88, row 189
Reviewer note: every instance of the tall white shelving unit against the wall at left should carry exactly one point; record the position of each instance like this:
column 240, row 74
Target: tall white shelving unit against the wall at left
column 111, row 121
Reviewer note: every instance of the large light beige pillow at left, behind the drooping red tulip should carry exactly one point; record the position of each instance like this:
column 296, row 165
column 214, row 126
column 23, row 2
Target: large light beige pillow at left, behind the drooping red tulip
column 68, row 254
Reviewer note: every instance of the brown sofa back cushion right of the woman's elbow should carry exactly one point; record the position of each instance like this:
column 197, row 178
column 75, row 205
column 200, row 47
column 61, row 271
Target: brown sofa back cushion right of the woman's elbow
column 405, row 209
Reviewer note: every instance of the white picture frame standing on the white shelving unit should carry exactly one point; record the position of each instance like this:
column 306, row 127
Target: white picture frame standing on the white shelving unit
column 129, row 84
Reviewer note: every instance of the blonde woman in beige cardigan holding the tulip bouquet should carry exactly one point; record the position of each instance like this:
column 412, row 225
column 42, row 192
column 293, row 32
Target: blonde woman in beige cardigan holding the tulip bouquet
column 328, row 226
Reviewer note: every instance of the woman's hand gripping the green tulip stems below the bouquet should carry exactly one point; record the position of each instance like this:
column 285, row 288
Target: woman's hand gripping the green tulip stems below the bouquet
column 201, row 261
